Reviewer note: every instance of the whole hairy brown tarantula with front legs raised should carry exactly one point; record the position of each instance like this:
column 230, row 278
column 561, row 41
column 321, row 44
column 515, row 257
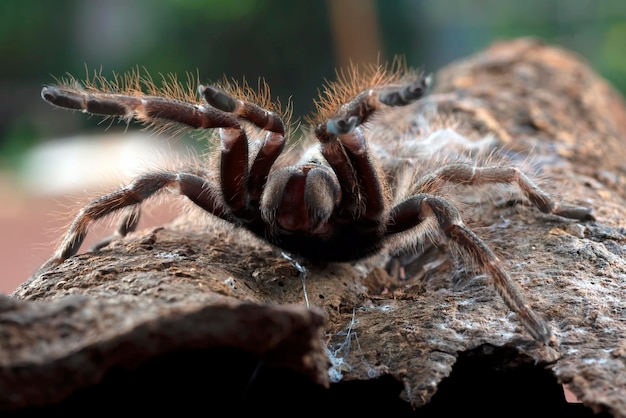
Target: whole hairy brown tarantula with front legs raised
column 340, row 202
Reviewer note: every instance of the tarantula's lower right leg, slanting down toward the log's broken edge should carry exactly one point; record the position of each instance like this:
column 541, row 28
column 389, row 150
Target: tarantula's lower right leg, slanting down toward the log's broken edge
column 423, row 207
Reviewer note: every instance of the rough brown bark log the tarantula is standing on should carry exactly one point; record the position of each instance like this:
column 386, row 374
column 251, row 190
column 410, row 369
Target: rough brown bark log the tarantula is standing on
column 213, row 301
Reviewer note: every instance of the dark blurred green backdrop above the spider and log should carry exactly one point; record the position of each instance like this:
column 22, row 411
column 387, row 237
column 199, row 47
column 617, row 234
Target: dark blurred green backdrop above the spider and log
column 293, row 44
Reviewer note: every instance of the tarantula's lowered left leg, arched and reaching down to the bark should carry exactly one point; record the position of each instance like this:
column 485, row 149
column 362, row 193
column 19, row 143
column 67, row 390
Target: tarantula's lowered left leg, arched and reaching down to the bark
column 196, row 188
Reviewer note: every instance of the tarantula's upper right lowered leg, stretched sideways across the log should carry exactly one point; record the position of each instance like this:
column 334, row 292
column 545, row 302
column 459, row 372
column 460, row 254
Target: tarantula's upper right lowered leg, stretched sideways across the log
column 471, row 175
